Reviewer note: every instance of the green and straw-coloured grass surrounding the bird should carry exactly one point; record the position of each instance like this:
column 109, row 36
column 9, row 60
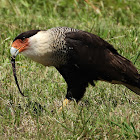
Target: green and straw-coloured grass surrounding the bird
column 108, row 112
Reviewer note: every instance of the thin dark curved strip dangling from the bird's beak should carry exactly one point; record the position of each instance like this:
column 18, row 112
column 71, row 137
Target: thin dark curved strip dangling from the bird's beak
column 14, row 73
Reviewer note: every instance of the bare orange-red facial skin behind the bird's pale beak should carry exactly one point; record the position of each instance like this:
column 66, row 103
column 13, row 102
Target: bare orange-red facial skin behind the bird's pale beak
column 21, row 45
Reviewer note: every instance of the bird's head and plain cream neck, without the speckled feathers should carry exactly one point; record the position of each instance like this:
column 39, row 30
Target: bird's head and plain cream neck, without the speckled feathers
column 34, row 44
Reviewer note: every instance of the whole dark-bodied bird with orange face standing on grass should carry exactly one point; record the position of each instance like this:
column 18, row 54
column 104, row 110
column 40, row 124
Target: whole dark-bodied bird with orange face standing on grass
column 79, row 56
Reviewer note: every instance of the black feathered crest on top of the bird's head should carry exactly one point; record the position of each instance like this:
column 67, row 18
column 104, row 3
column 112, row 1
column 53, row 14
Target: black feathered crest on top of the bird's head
column 26, row 34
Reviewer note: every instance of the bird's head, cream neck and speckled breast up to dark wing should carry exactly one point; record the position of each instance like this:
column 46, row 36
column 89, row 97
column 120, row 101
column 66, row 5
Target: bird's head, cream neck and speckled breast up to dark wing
column 46, row 47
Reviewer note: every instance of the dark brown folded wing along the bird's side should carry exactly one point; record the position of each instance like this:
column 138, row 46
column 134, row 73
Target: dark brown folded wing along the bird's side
column 99, row 59
